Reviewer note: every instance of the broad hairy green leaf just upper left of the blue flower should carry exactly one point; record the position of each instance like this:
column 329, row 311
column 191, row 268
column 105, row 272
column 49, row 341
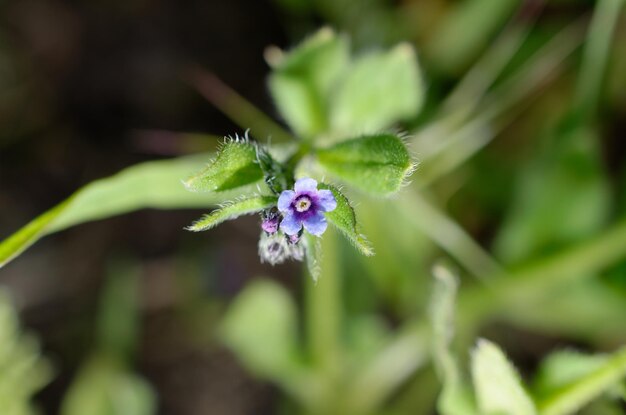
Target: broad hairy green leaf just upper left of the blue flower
column 234, row 166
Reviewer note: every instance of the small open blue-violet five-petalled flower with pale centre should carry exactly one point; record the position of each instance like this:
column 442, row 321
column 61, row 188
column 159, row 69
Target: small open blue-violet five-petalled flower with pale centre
column 304, row 206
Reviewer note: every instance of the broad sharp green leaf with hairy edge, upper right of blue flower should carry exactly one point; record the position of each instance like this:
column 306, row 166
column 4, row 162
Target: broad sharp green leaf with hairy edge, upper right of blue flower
column 376, row 164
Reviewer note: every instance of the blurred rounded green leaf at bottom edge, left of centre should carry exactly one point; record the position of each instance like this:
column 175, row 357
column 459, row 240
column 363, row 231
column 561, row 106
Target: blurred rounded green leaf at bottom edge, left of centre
column 104, row 387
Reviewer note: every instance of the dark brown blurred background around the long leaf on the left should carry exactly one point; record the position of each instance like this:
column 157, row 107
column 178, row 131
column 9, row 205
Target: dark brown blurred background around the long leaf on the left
column 87, row 88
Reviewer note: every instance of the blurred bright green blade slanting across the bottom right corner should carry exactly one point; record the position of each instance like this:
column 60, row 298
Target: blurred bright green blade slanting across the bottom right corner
column 577, row 394
